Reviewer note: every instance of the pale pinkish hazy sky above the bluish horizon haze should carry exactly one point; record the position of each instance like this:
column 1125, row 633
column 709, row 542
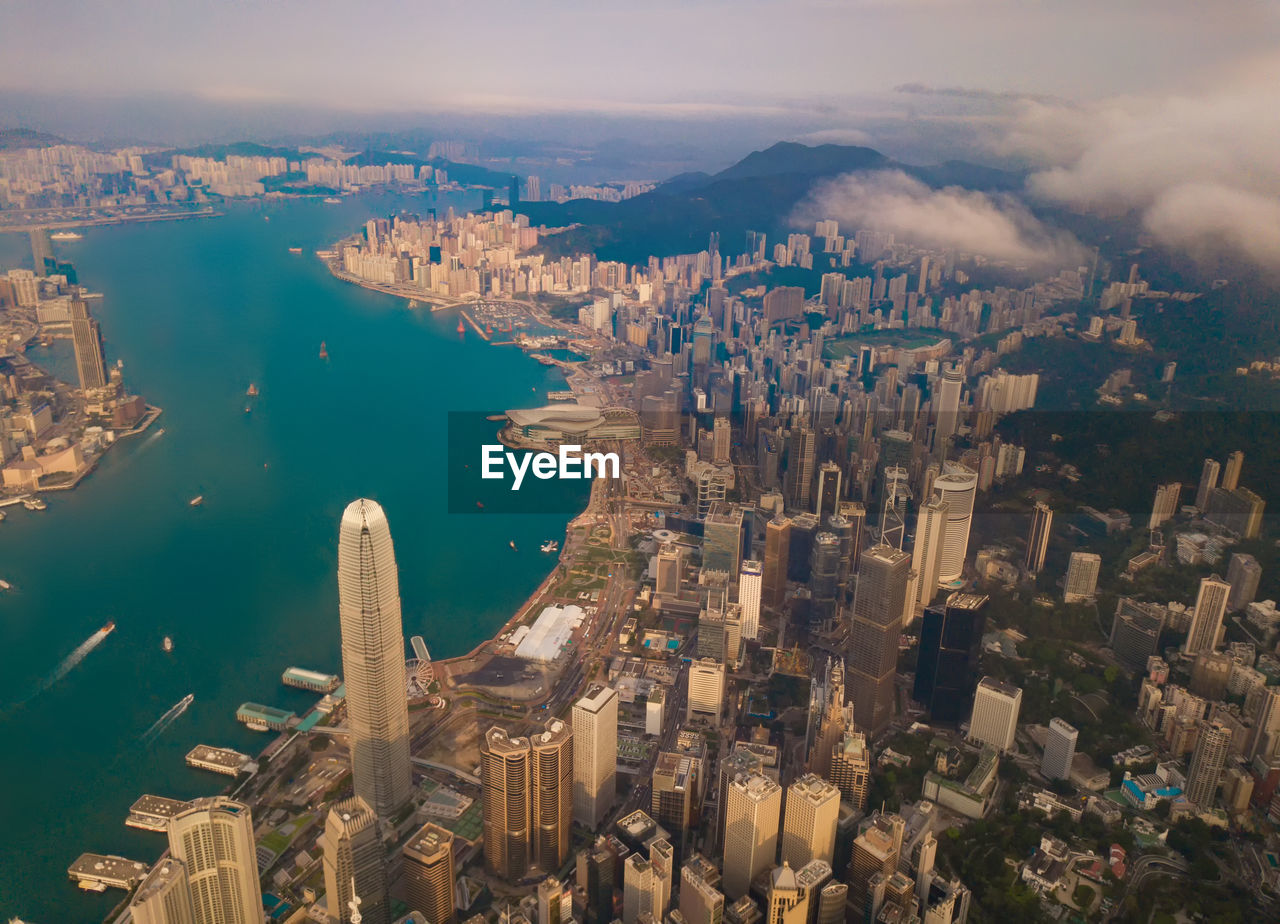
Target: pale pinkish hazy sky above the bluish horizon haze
column 651, row 54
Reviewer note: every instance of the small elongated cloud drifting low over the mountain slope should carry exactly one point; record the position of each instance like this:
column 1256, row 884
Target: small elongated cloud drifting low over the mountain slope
column 994, row 226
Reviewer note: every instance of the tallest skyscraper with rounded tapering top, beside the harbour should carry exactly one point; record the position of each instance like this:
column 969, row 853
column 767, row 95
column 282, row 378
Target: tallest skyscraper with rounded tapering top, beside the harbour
column 373, row 658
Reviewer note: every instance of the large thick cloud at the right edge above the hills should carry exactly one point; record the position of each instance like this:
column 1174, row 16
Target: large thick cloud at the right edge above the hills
column 1203, row 172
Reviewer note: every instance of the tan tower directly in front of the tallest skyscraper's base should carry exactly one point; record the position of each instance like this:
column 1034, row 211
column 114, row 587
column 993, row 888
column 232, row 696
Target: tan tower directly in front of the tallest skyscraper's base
column 355, row 863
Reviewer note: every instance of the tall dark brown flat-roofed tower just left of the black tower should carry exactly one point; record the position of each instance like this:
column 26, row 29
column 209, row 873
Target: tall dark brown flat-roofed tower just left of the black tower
column 875, row 632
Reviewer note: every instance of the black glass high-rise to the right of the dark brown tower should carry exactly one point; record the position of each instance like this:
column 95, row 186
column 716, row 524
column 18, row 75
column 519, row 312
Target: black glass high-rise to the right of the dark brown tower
column 947, row 671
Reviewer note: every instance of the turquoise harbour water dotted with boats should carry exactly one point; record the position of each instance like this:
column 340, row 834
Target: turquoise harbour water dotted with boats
column 246, row 583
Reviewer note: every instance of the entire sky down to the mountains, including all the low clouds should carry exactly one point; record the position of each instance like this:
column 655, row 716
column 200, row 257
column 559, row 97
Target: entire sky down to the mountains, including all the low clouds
column 1159, row 109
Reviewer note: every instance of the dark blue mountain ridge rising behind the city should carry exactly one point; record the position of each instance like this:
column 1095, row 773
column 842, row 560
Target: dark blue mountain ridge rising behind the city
column 757, row 194
